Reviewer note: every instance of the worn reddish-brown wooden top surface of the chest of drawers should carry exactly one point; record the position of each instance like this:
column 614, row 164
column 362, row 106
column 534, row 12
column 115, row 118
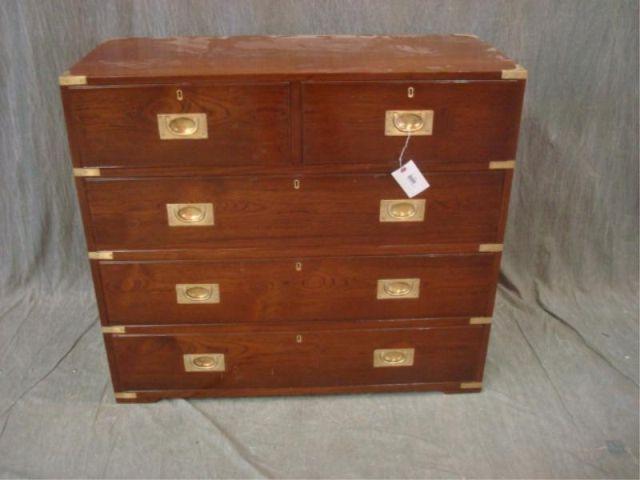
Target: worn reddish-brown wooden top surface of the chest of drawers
column 132, row 60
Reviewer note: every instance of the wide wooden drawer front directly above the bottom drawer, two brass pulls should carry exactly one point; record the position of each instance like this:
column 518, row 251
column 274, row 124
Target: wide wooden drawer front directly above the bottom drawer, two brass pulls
column 184, row 292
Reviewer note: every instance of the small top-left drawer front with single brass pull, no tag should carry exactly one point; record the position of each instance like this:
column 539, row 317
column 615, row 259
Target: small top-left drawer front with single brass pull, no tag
column 150, row 126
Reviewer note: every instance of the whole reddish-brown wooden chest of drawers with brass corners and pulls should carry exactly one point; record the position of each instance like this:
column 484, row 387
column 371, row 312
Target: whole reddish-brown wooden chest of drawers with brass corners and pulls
column 245, row 233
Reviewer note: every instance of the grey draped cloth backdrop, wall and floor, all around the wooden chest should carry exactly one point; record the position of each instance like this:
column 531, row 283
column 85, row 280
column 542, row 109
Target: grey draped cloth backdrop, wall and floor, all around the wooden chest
column 561, row 384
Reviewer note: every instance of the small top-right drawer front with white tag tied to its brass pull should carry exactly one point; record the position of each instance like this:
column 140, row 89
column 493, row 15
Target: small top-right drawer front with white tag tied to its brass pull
column 474, row 121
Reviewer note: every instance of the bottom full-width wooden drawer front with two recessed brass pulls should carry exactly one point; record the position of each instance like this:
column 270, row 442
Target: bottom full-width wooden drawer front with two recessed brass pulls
column 298, row 358
